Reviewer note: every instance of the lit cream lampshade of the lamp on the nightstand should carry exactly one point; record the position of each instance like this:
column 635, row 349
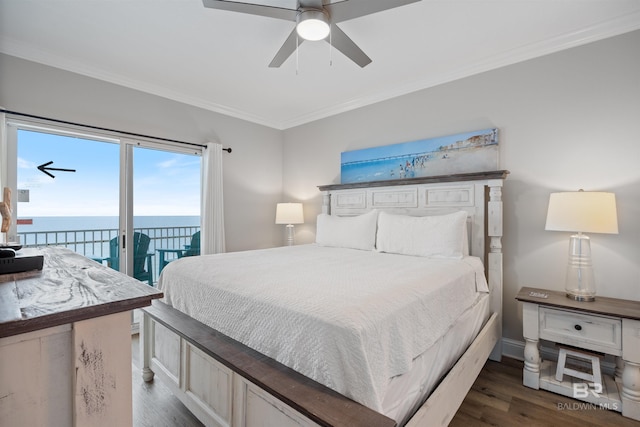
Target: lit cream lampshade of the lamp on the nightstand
column 582, row 211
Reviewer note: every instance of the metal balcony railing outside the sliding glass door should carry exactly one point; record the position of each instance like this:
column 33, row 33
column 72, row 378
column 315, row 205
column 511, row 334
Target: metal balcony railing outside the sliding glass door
column 95, row 243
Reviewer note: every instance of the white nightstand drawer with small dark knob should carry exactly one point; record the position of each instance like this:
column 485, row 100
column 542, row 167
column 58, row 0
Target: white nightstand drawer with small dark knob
column 598, row 333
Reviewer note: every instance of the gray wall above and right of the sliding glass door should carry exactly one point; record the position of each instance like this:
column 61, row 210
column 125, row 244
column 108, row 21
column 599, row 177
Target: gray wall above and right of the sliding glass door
column 252, row 172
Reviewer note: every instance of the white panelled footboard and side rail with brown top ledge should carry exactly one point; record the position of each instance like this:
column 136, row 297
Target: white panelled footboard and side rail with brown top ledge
column 225, row 383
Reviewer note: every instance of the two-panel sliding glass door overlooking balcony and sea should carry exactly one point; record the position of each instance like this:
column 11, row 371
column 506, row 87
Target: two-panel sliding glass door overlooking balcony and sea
column 131, row 205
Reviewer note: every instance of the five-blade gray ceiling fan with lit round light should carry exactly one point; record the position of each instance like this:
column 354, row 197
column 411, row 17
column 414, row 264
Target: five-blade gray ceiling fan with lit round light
column 315, row 20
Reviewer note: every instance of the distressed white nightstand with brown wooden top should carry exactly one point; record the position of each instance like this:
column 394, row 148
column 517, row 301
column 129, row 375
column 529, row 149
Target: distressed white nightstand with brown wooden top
column 606, row 325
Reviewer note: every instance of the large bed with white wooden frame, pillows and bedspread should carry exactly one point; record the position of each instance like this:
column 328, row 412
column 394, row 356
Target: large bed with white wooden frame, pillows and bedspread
column 345, row 331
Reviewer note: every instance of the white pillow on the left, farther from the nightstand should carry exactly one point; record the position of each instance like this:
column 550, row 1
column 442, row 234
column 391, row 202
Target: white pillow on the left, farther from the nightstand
column 355, row 232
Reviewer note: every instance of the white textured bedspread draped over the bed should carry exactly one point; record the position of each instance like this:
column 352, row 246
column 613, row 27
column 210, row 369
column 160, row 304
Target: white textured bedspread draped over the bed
column 349, row 319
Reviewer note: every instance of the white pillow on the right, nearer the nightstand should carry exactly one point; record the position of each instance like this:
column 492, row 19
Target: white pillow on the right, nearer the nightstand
column 440, row 236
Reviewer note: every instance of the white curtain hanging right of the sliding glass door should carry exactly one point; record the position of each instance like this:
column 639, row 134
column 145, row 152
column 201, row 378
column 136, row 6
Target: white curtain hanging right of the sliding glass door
column 212, row 207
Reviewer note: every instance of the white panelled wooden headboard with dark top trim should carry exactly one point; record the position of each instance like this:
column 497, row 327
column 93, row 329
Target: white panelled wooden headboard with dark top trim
column 479, row 194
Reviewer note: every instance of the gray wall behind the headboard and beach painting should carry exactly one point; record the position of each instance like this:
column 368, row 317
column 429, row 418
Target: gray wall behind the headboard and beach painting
column 567, row 121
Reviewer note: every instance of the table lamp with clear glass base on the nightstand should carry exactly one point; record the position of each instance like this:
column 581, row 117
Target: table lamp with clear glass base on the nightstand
column 581, row 211
